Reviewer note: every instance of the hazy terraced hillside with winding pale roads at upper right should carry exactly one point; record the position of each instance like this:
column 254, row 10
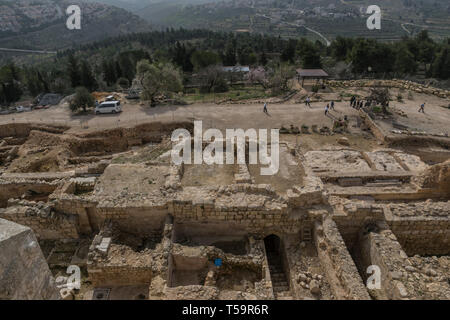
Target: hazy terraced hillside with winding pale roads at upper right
column 297, row 17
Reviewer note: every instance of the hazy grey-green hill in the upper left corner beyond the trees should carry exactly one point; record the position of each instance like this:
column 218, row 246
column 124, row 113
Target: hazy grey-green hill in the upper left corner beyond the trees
column 41, row 24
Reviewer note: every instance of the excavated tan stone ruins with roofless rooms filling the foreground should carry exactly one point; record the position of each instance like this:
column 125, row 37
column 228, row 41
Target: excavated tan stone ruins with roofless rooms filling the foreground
column 113, row 204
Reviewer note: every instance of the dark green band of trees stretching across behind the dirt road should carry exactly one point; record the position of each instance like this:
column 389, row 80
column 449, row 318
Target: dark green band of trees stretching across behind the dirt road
column 112, row 63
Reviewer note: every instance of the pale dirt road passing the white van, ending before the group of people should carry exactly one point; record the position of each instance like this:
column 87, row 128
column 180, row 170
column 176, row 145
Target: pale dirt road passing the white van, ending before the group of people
column 213, row 116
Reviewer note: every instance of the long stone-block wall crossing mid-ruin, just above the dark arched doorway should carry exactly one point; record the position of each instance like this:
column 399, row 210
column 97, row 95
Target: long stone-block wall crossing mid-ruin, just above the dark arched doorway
column 255, row 207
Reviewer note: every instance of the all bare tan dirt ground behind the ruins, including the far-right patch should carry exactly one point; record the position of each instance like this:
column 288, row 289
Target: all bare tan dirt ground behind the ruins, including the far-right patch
column 435, row 120
